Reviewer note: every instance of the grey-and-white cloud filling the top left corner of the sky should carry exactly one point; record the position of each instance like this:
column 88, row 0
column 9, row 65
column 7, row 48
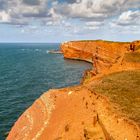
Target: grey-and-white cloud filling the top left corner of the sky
column 19, row 9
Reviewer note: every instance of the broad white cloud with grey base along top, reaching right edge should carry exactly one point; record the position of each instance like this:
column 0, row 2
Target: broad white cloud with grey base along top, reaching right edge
column 96, row 10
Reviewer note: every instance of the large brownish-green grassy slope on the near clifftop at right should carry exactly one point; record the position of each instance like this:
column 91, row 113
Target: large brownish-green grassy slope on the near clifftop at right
column 122, row 88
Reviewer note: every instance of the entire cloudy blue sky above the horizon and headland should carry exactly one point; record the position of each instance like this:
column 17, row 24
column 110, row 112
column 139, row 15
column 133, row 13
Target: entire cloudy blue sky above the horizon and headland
column 63, row 20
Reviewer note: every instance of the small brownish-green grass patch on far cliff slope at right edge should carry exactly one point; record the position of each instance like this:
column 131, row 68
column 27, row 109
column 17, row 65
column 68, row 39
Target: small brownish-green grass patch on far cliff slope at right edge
column 132, row 57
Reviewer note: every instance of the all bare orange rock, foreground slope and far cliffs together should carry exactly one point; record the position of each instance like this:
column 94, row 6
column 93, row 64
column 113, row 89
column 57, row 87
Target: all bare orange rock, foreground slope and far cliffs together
column 77, row 112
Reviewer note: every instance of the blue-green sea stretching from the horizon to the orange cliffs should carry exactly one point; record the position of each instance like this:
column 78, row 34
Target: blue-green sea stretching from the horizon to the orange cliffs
column 26, row 71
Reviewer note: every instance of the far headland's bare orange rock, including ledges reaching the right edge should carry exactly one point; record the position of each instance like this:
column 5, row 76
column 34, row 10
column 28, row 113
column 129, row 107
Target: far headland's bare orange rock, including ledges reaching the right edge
column 105, row 55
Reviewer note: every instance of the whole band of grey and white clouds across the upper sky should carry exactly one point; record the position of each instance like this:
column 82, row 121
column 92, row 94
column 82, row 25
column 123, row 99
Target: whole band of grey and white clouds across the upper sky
column 92, row 14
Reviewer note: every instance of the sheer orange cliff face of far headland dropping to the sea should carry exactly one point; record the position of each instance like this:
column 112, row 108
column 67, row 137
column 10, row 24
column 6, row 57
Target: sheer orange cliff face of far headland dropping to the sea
column 103, row 54
